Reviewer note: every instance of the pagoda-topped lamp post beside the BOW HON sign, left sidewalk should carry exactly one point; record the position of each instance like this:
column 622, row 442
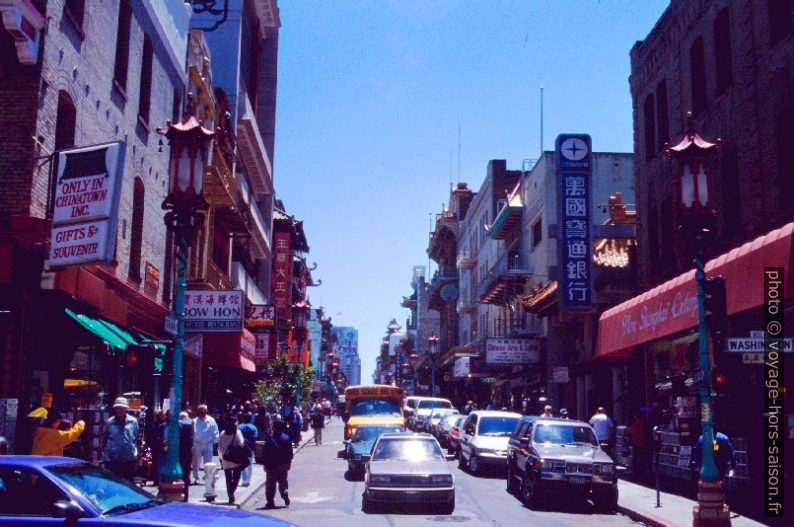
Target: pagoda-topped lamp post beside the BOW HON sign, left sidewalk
column 184, row 206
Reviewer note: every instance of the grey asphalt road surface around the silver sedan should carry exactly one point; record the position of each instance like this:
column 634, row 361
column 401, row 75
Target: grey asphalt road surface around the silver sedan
column 321, row 496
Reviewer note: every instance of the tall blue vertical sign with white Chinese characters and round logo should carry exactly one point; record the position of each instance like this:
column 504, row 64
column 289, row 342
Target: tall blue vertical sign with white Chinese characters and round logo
column 574, row 174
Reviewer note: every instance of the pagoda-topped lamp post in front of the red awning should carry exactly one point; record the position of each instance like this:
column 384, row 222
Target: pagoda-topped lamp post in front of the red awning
column 693, row 165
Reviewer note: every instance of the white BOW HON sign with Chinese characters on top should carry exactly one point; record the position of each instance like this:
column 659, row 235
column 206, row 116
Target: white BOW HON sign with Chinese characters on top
column 214, row 311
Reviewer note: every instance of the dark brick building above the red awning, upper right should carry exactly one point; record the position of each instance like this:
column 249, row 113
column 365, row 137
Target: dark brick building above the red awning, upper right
column 732, row 65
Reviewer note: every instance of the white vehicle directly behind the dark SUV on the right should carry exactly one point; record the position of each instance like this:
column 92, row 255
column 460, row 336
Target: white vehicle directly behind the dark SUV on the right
column 483, row 440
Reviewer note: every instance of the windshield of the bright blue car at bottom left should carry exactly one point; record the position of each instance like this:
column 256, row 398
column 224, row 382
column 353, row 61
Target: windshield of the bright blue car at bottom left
column 109, row 493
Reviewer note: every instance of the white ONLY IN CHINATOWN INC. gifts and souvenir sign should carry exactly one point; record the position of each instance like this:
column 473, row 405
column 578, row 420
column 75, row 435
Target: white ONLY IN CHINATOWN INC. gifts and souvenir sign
column 85, row 212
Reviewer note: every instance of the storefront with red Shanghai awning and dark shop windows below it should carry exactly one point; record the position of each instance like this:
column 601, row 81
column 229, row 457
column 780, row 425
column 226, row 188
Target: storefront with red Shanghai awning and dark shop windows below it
column 658, row 330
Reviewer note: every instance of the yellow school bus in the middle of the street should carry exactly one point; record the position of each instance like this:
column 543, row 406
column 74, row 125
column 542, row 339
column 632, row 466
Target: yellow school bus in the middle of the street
column 376, row 403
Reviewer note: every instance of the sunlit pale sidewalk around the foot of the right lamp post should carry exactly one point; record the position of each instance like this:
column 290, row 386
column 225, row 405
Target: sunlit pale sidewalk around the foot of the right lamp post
column 639, row 503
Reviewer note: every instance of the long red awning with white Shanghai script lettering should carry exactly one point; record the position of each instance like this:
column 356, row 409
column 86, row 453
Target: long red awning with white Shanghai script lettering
column 672, row 307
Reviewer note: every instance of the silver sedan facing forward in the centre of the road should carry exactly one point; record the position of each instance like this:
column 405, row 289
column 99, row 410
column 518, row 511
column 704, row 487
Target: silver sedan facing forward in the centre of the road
column 408, row 468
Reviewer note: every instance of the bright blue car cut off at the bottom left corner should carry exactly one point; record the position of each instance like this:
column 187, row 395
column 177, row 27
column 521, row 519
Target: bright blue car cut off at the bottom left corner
column 39, row 490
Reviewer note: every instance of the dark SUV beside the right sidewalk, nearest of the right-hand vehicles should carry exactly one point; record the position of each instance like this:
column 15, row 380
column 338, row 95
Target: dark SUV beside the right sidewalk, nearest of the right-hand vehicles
column 560, row 456
